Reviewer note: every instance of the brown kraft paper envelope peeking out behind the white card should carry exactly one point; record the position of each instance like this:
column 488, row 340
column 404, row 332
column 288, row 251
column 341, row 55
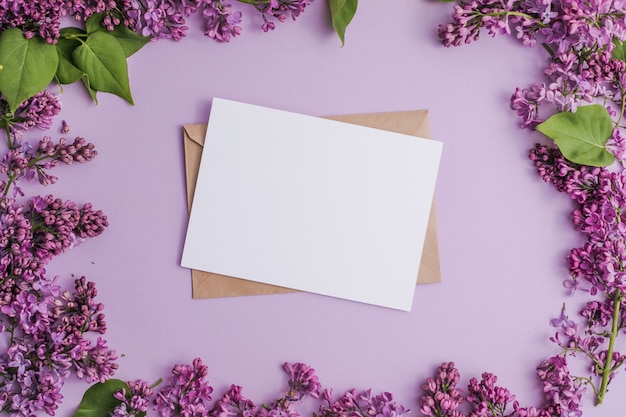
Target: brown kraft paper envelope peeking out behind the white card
column 209, row 285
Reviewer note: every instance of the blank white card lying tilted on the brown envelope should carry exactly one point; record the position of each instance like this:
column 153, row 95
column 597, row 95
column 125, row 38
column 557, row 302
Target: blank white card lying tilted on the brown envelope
column 311, row 204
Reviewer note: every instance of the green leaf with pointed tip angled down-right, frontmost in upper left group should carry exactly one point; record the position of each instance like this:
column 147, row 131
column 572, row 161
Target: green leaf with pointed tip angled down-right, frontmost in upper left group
column 102, row 58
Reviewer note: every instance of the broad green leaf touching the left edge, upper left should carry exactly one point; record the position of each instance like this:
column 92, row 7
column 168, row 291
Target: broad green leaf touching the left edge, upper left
column 28, row 66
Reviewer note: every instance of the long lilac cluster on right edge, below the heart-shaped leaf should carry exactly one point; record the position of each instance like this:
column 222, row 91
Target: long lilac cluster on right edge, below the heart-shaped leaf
column 595, row 267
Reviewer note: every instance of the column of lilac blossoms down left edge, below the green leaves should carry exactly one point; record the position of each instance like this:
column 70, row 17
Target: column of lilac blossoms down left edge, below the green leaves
column 47, row 333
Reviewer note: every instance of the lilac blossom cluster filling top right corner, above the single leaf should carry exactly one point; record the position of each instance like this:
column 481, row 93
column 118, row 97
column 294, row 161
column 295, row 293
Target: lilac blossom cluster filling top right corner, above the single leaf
column 580, row 37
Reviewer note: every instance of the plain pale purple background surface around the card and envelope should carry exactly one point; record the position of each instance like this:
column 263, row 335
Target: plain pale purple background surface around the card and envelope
column 504, row 234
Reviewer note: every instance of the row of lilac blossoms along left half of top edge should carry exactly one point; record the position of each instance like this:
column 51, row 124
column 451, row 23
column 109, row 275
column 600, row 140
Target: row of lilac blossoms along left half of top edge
column 156, row 19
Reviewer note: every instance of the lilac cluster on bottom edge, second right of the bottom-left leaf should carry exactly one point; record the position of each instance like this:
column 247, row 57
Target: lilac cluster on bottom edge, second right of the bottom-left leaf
column 187, row 392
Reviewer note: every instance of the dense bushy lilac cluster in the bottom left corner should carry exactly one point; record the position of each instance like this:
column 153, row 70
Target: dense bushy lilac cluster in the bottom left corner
column 47, row 341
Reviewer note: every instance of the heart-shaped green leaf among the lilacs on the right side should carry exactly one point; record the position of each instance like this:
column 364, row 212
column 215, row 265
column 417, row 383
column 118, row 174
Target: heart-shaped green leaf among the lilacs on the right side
column 582, row 136
